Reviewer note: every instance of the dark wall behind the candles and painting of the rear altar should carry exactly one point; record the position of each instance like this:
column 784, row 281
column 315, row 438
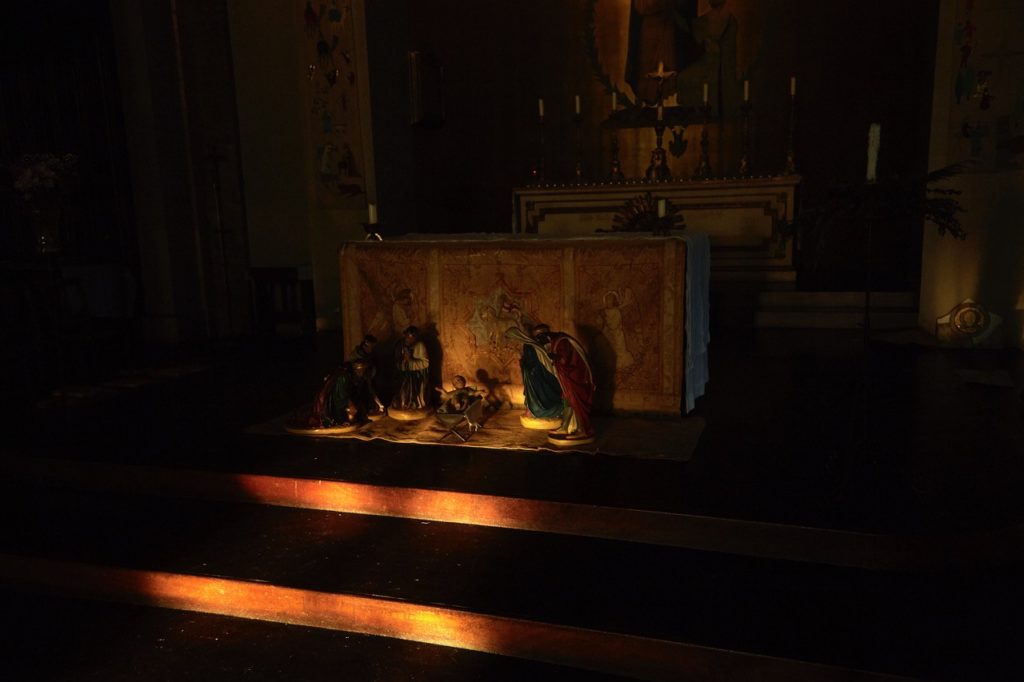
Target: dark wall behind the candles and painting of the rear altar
column 856, row 64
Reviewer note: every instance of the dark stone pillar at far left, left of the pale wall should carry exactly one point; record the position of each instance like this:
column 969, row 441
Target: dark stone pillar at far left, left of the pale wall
column 181, row 122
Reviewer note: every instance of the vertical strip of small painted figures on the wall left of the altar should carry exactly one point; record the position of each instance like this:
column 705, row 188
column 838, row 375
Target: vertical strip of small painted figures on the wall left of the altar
column 332, row 71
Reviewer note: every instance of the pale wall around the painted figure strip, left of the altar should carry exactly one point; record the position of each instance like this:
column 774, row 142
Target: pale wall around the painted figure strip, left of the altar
column 293, row 222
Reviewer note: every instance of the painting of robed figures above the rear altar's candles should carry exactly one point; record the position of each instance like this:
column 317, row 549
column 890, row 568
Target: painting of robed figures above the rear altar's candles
column 700, row 47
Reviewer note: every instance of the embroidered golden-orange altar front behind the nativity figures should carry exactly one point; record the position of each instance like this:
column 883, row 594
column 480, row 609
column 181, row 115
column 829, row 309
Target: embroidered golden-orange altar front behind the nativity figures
column 624, row 297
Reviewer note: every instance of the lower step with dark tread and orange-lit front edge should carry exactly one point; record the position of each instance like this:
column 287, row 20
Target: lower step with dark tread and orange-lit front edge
column 614, row 608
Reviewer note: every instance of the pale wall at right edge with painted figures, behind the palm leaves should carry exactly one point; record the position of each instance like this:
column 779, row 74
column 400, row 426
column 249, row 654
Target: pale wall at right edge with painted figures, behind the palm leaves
column 989, row 267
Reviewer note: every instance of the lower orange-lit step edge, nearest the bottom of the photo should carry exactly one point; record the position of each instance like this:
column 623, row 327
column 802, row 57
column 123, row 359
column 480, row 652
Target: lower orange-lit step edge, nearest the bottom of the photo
column 607, row 653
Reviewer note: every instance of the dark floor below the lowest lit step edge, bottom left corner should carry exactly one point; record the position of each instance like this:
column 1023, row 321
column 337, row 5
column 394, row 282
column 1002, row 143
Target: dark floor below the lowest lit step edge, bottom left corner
column 63, row 638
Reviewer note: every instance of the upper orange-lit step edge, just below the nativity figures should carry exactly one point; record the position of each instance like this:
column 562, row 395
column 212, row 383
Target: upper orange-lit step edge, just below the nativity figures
column 770, row 541
